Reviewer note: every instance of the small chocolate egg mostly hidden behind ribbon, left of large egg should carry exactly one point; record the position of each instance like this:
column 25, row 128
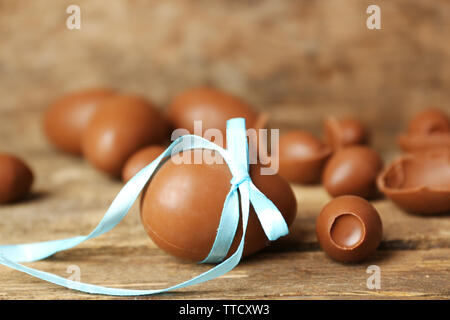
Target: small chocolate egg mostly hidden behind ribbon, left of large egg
column 139, row 160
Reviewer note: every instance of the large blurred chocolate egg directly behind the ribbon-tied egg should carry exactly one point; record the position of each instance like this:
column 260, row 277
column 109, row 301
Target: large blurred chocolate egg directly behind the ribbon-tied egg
column 212, row 107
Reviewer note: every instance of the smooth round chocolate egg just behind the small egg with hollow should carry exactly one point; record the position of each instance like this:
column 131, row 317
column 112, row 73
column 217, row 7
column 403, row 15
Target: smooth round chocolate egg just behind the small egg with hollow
column 352, row 171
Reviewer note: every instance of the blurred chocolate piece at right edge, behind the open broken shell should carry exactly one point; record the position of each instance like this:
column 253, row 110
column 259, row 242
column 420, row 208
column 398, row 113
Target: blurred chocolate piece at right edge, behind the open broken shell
column 427, row 130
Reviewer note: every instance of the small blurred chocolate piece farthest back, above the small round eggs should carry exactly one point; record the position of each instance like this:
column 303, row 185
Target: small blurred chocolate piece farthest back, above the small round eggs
column 344, row 132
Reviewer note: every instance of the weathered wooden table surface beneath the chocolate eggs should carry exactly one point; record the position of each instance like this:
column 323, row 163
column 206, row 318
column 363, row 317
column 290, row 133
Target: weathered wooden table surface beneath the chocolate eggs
column 69, row 198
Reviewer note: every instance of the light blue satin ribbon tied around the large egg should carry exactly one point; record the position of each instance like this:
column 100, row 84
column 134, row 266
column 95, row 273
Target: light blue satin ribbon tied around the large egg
column 236, row 156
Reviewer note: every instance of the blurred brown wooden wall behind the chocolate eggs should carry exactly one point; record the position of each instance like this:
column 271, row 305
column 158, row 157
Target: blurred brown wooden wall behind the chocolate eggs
column 300, row 60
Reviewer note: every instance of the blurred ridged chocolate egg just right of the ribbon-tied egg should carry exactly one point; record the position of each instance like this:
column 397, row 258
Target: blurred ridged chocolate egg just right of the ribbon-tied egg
column 302, row 157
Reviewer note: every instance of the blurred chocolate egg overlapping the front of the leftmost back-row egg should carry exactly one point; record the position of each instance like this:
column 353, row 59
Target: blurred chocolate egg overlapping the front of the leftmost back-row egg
column 122, row 125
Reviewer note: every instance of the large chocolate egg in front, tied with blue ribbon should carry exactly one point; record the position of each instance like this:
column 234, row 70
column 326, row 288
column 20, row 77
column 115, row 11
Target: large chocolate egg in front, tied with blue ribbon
column 182, row 206
